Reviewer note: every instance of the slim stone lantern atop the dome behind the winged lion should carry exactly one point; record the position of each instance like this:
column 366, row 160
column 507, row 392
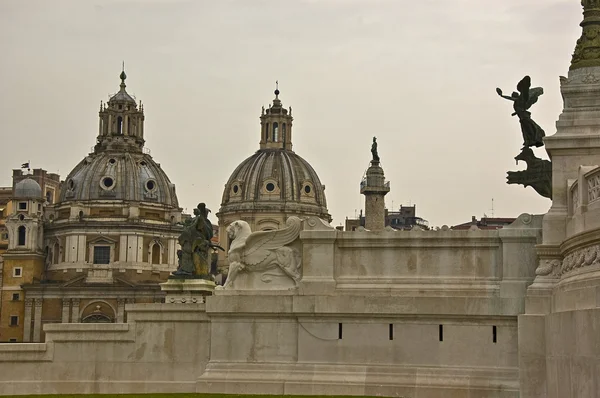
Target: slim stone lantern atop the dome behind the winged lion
column 276, row 125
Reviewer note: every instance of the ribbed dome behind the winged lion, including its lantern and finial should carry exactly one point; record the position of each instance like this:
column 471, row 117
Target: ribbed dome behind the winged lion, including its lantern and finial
column 275, row 180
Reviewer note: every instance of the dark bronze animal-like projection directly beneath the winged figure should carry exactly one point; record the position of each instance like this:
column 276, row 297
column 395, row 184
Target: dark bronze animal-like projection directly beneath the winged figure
column 538, row 174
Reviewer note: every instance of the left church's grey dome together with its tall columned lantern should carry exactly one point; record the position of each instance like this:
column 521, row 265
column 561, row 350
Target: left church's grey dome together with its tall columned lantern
column 119, row 168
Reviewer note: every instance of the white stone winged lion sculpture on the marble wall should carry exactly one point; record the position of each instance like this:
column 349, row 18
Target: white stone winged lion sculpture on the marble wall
column 264, row 250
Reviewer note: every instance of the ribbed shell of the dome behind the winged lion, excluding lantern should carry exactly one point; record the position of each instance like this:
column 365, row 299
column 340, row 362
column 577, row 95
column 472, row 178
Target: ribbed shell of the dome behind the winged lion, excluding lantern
column 274, row 178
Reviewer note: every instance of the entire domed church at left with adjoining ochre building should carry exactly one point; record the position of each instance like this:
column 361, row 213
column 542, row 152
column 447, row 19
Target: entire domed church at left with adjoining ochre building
column 106, row 236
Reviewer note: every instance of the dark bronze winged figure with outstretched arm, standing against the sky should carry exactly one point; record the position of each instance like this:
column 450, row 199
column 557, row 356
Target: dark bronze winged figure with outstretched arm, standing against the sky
column 522, row 101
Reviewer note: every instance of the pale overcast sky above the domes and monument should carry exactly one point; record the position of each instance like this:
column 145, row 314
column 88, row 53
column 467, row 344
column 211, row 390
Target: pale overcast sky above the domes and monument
column 419, row 75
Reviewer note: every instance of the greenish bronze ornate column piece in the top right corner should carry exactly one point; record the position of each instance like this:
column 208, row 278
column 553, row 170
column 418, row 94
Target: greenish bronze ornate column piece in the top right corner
column 587, row 50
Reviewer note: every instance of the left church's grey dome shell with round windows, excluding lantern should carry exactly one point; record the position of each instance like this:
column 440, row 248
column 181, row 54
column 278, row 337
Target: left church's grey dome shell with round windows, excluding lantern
column 119, row 176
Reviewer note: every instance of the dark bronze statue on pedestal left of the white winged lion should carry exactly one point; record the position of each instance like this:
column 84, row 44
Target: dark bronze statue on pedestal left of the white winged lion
column 195, row 242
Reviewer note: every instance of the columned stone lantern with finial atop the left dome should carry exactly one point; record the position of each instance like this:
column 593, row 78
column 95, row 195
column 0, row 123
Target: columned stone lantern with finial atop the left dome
column 121, row 122
